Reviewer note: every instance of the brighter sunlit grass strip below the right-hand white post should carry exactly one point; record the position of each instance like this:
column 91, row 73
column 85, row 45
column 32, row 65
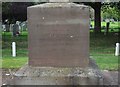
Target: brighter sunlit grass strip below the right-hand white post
column 106, row 61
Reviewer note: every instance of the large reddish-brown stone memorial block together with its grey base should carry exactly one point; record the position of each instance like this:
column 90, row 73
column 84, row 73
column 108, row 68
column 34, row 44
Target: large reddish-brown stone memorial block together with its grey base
column 58, row 47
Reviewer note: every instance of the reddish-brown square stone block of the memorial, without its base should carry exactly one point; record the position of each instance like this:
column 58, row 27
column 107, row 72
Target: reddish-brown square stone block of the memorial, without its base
column 58, row 35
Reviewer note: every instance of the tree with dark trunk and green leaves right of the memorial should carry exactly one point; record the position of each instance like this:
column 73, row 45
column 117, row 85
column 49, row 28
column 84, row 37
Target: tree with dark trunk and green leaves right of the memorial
column 97, row 10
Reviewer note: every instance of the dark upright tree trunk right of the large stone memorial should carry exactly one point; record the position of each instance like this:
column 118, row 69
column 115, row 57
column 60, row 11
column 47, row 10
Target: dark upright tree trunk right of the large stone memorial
column 97, row 18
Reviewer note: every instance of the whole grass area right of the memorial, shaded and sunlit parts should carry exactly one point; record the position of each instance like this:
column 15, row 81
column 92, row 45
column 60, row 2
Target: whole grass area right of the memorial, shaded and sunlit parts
column 102, row 49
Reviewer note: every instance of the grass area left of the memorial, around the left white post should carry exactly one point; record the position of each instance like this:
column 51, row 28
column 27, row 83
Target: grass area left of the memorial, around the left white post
column 22, row 50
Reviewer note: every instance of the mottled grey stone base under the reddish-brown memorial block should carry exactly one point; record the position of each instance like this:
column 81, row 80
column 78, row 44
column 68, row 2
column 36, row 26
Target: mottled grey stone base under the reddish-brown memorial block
column 58, row 76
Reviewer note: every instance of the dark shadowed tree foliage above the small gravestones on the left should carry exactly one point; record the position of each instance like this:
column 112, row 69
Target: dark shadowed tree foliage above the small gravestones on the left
column 14, row 11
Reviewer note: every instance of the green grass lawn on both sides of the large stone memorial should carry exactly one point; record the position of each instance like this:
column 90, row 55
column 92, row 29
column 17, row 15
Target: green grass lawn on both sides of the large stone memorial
column 101, row 49
